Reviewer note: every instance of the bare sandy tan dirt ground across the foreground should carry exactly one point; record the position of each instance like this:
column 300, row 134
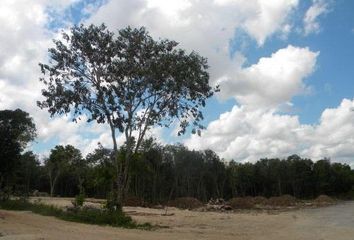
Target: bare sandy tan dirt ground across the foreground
column 334, row 222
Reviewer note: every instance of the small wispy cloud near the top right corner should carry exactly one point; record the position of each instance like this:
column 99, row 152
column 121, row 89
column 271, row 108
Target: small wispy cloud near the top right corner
column 318, row 8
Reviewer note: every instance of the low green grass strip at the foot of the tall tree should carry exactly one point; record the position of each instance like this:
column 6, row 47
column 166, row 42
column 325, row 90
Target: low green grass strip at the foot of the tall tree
column 82, row 215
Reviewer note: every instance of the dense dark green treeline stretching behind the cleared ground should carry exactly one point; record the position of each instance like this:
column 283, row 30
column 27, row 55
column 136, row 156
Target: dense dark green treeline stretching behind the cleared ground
column 161, row 173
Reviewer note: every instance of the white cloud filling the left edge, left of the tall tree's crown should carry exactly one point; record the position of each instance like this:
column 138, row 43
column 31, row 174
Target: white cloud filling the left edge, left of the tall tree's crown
column 24, row 40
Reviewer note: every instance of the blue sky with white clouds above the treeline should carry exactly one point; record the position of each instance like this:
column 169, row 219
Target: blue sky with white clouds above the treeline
column 284, row 67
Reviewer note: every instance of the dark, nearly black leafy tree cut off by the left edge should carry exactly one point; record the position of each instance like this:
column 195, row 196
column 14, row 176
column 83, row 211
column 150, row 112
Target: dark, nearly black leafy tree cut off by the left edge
column 16, row 130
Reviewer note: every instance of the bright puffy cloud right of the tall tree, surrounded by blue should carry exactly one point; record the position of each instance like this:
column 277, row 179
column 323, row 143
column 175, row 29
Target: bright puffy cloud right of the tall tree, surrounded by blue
column 272, row 81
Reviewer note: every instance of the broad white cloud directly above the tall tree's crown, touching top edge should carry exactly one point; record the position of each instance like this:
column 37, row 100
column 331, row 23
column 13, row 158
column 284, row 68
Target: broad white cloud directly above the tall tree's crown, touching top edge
column 204, row 26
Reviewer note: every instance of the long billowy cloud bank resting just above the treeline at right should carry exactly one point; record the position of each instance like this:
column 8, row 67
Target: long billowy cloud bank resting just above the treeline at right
column 248, row 135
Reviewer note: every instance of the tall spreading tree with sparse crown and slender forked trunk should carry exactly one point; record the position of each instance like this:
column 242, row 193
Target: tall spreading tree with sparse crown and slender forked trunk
column 129, row 81
